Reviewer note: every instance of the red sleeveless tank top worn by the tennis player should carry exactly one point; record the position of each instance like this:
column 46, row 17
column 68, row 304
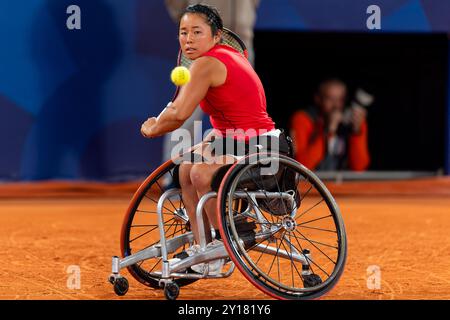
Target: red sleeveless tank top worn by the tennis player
column 240, row 103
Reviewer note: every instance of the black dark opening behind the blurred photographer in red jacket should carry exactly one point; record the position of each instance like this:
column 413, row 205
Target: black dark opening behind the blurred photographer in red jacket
column 407, row 74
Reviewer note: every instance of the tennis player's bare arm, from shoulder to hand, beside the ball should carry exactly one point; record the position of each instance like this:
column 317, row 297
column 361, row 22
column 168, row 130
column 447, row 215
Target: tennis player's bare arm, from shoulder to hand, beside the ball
column 173, row 117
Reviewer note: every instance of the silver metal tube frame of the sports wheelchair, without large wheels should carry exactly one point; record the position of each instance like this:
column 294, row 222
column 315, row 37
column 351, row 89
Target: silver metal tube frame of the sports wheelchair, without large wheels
column 168, row 273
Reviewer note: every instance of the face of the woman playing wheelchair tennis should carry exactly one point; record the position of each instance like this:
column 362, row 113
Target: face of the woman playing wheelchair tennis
column 195, row 36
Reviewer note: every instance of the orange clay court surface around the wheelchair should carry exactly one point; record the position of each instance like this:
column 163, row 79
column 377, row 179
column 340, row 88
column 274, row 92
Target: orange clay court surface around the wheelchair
column 401, row 227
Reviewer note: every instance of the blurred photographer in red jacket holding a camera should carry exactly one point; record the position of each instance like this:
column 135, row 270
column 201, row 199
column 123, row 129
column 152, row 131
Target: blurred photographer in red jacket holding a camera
column 328, row 136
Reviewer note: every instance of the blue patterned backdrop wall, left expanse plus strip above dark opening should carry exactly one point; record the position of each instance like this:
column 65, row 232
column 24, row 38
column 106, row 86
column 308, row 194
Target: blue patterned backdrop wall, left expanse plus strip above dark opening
column 72, row 102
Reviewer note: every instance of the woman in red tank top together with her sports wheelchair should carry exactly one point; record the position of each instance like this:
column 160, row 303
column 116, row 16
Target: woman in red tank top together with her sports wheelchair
column 237, row 199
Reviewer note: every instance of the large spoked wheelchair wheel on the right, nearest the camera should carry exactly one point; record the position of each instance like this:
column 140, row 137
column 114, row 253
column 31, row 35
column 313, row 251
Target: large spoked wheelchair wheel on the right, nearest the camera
column 281, row 227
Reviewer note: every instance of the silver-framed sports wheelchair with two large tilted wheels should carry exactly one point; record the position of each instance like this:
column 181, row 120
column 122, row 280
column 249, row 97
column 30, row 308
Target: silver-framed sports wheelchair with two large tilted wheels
column 279, row 226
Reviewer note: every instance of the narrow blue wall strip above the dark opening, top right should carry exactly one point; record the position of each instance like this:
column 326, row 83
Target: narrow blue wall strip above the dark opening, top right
column 350, row 15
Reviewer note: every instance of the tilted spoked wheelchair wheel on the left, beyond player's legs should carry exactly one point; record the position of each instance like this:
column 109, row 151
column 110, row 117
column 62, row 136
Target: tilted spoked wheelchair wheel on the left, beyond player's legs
column 140, row 226
